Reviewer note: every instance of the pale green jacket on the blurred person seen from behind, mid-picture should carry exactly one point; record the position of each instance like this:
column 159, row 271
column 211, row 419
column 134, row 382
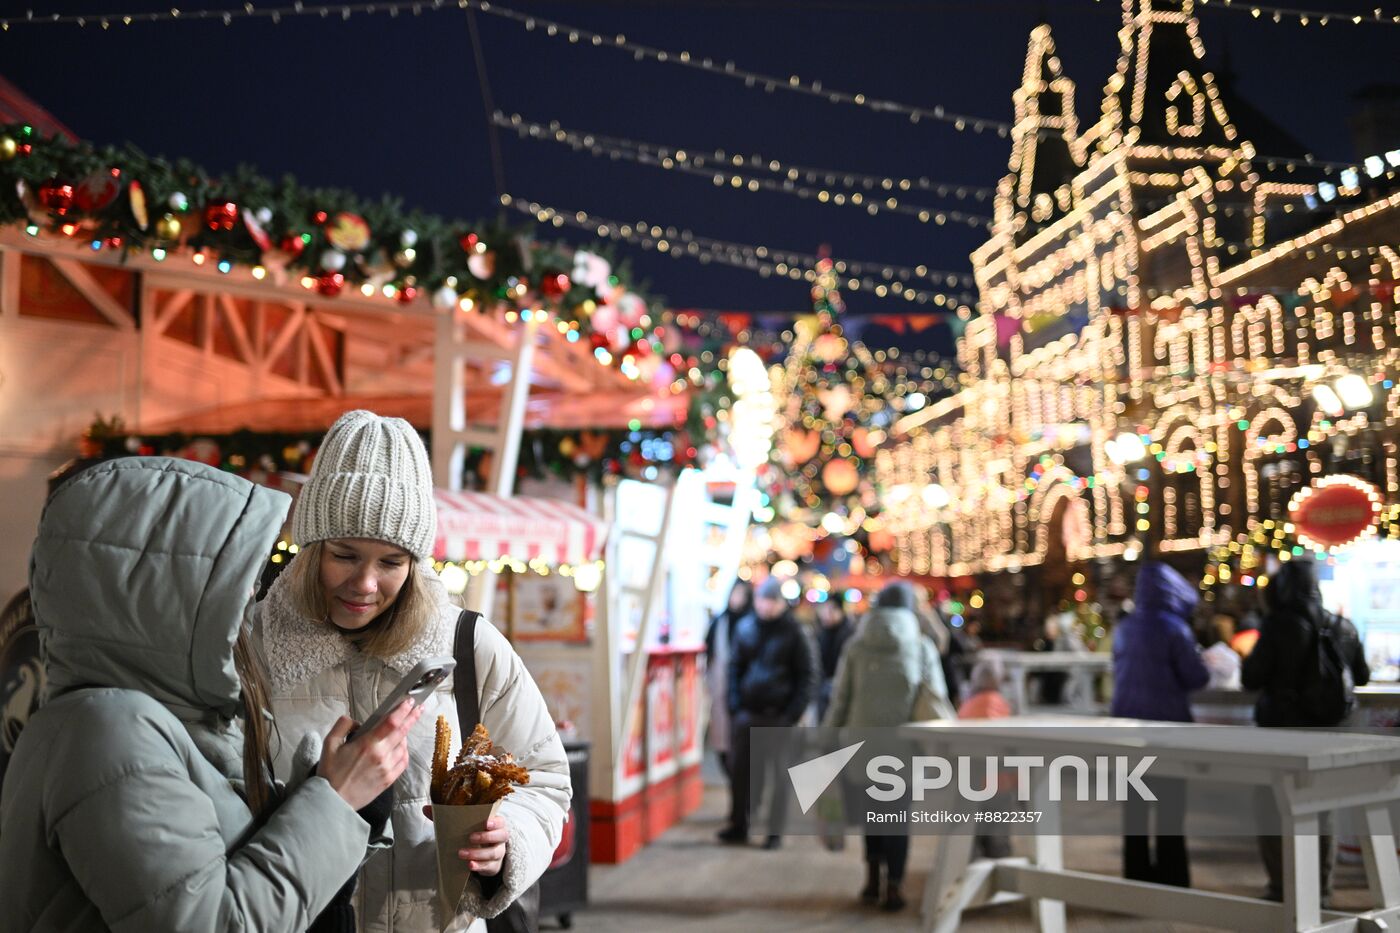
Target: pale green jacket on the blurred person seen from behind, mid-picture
column 881, row 672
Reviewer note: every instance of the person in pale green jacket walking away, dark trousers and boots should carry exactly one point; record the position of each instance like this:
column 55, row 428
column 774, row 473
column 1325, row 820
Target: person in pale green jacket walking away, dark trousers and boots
column 877, row 684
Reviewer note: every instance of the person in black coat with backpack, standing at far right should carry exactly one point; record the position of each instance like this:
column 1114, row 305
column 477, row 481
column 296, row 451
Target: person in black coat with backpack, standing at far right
column 1279, row 668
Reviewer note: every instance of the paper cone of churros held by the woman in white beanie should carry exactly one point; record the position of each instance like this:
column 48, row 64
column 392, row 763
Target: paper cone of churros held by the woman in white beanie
column 465, row 796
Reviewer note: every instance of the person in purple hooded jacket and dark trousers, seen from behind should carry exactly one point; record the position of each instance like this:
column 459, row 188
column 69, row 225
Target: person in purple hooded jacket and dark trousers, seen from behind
column 1157, row 666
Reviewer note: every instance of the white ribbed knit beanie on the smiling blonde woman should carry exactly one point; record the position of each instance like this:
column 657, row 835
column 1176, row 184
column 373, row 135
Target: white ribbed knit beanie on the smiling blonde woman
column 370, row 480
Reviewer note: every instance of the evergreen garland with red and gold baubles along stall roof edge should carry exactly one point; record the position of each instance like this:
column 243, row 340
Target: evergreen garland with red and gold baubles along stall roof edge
column 120, row 198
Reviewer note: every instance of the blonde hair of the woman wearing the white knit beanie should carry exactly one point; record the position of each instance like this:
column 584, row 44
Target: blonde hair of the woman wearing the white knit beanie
column 411, row 614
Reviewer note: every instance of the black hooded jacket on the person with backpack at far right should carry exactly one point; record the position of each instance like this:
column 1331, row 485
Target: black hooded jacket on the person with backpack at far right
column 1279, row 663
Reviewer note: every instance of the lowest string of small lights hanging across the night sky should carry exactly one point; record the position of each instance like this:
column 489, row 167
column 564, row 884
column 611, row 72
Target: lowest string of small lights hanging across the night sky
column 682, row 243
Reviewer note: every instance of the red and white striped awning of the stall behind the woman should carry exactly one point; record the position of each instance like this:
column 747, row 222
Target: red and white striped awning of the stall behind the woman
column 482, row 527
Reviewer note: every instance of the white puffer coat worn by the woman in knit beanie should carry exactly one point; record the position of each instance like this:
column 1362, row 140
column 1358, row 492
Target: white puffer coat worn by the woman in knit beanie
column 317, row 676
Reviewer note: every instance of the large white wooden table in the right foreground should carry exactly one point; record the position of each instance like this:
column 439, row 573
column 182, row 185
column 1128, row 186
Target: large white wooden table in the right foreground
column 1311, row 773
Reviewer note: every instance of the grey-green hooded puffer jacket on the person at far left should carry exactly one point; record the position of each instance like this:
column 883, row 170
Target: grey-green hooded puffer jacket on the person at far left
column 122, row 805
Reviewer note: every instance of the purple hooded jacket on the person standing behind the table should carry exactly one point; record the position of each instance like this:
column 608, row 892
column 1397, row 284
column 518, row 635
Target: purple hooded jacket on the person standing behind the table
column 1156, row 661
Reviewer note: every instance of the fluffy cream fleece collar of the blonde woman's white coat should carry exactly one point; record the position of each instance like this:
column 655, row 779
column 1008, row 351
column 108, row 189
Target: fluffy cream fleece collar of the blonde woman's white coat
column 297, row 649
